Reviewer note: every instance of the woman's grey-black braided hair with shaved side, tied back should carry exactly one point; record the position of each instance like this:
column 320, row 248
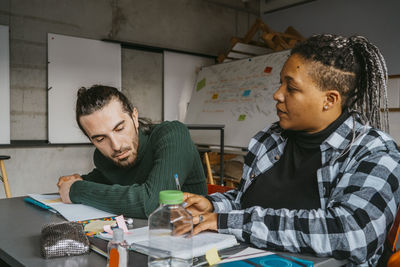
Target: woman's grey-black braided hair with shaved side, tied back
column 355, row 68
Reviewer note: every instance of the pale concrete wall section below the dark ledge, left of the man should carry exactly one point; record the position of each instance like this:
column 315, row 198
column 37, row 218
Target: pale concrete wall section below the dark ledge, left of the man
column 36, row 170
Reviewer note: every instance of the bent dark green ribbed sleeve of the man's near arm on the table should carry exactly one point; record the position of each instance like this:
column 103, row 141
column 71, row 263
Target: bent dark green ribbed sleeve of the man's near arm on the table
column 172, row 153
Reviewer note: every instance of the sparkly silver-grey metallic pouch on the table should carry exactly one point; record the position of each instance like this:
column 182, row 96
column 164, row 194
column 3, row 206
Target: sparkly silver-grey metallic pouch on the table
column 63, row 239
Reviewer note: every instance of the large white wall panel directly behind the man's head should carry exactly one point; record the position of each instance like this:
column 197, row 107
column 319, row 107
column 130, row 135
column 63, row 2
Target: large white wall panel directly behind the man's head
column 72, row 63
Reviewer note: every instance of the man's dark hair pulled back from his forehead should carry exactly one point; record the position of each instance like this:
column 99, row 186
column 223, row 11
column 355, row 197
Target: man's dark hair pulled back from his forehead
column 97, row 97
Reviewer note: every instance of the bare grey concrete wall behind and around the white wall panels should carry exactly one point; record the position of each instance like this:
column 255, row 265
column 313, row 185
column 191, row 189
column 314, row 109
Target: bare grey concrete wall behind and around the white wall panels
column 202, row 26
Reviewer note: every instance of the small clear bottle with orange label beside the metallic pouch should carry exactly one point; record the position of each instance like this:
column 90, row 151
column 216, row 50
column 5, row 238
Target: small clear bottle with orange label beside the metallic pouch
column 117, row 250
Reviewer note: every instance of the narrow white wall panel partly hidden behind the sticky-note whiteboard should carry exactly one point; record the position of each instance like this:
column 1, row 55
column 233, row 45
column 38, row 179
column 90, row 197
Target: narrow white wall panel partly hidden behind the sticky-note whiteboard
column 180, row 72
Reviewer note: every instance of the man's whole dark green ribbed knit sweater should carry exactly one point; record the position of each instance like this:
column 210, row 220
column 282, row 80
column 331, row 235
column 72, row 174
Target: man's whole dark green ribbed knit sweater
column 133, row 192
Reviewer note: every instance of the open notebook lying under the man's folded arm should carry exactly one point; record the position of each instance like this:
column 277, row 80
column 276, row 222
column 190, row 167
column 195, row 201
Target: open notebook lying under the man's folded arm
column 71, row 212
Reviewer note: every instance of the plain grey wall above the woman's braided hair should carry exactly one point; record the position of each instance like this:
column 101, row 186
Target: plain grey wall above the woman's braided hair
column 377, row 20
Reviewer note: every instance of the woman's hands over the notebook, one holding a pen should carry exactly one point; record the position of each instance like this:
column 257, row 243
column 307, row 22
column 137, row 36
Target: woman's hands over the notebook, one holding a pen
column 201, row 209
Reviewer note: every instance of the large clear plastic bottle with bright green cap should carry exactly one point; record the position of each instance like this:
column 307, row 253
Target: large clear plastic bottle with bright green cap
column 169, row 228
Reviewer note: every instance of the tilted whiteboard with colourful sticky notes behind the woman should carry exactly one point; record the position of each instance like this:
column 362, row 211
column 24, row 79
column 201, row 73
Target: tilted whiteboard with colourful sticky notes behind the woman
column 238, row 94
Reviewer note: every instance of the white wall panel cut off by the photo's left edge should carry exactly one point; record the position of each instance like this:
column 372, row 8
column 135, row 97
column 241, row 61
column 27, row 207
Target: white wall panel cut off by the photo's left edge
column 4, row 86
